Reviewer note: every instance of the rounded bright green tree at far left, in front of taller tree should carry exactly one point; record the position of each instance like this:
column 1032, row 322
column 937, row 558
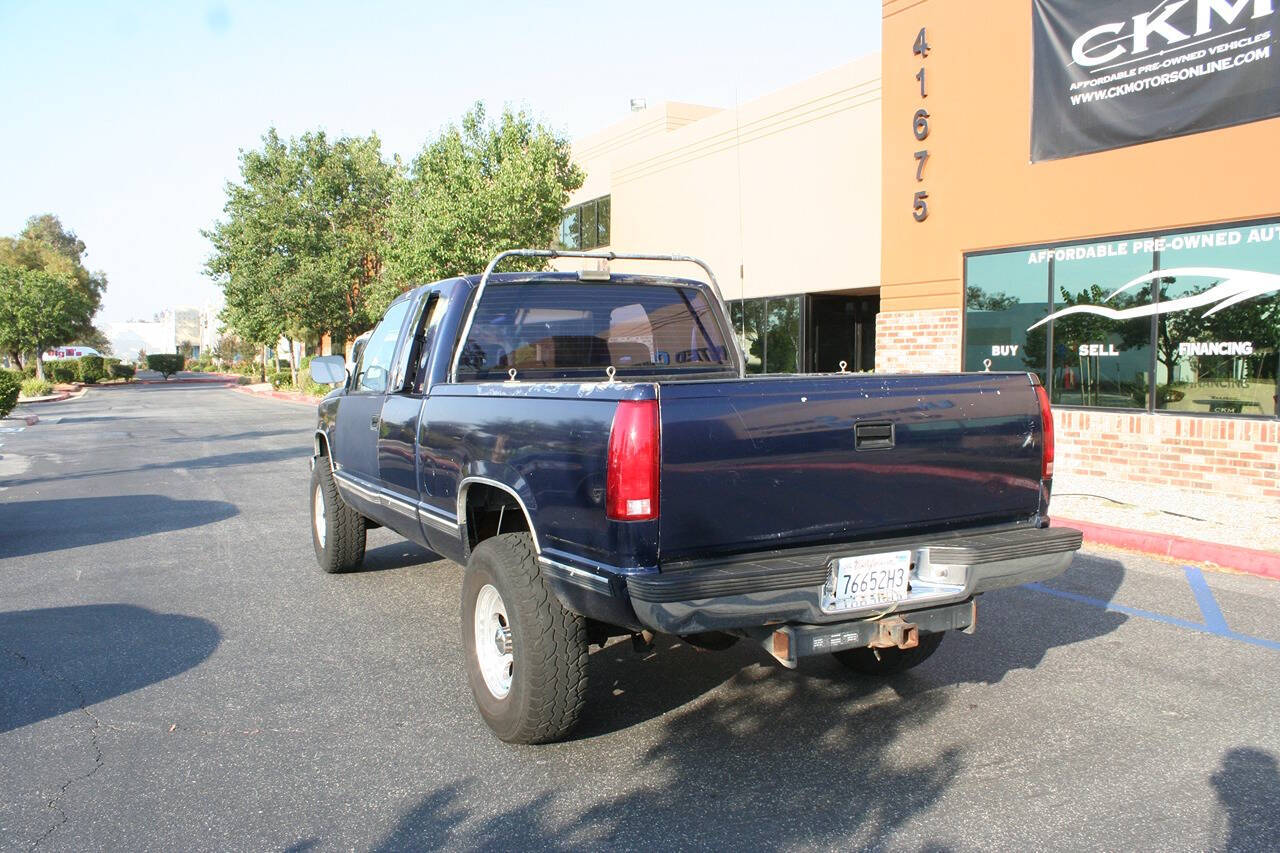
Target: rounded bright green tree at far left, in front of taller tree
column 40, row 309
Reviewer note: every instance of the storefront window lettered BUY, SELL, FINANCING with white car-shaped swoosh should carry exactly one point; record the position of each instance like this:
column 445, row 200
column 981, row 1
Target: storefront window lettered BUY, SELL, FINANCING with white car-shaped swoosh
column 1183, row 322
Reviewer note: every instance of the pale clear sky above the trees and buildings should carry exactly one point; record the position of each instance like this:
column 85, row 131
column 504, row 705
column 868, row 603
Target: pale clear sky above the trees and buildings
column 126, row 120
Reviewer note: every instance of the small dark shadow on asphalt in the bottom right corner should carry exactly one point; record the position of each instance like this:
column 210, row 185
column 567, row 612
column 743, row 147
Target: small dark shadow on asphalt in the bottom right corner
column 1249, row 790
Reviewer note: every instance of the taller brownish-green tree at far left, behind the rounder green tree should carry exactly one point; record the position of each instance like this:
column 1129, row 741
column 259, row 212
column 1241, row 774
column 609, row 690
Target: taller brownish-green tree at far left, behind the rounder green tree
column 47, row 247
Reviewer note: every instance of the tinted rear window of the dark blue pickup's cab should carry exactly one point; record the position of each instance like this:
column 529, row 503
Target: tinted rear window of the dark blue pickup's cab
column 578, row 330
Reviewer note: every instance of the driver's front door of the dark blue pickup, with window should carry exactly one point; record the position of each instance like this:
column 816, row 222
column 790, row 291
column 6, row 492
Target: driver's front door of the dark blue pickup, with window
column 360, row 414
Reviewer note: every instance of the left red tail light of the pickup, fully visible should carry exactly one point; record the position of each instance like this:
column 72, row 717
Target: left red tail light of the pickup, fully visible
column 632, row 485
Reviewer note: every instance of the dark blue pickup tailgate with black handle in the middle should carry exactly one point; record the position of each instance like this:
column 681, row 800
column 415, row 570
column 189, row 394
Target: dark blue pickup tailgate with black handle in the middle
column 771, row 462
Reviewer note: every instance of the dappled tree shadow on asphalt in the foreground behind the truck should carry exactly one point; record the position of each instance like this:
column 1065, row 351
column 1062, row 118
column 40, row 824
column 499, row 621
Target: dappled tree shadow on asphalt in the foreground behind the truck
column 771, row 759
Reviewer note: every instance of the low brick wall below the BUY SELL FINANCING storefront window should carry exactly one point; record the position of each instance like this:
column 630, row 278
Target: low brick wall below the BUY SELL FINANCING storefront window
column 1219, row 455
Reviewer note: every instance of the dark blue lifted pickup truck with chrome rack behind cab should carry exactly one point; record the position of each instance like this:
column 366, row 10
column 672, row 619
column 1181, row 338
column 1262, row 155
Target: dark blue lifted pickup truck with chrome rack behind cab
column 589, row 448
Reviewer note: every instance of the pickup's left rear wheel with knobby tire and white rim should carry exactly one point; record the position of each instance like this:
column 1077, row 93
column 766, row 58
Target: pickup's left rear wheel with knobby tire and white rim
column 525, row 654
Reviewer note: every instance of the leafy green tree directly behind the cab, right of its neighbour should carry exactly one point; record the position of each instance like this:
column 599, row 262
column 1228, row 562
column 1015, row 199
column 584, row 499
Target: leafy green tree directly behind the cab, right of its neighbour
column 482, row 188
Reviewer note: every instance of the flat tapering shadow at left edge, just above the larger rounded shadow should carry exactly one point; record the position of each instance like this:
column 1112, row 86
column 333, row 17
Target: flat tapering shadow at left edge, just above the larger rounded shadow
column 38, row 527
